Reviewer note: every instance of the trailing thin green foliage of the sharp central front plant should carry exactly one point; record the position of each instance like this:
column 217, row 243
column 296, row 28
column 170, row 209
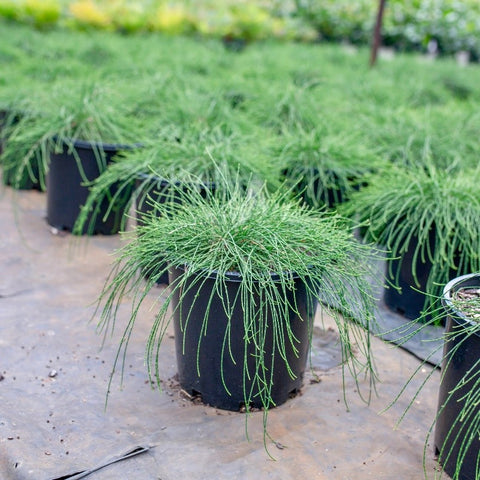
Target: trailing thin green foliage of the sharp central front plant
column 253, row 234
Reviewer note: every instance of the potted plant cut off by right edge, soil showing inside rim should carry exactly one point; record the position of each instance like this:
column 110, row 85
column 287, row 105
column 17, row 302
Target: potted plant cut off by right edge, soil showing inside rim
column 456, row 426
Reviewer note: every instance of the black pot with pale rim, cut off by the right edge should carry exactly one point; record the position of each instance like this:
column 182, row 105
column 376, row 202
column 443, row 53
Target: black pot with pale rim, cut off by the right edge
column 450, row 429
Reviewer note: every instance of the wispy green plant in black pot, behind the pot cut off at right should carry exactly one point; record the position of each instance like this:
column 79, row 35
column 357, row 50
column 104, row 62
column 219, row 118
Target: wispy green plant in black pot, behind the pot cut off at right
column 426, row 218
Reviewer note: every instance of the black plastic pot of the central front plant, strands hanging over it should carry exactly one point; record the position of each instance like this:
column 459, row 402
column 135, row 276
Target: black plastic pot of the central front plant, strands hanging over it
column 221, row 367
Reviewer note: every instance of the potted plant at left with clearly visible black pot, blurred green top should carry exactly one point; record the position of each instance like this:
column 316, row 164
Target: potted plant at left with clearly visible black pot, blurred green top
column 95, row 127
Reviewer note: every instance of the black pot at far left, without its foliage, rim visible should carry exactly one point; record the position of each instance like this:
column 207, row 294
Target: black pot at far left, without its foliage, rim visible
column 66, row 190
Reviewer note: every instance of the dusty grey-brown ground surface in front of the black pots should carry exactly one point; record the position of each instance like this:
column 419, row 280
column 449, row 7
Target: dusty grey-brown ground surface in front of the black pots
column 54, row 377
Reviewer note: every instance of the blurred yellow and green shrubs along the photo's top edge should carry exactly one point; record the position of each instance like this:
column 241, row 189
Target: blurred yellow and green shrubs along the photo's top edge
column 430, row 26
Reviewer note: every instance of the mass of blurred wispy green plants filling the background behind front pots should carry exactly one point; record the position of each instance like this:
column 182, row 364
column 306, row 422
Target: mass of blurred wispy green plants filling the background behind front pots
column 290, row 105
